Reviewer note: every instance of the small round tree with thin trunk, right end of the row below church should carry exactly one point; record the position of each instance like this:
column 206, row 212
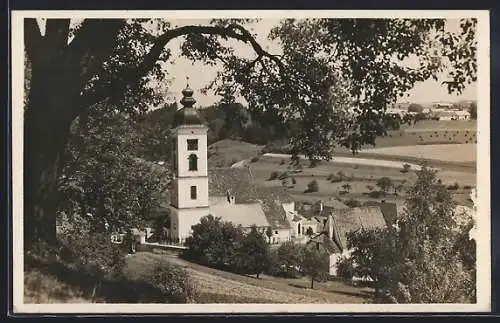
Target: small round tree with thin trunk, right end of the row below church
column 315, row 263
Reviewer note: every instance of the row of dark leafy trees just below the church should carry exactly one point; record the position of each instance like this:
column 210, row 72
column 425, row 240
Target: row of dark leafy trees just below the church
column 222, row 245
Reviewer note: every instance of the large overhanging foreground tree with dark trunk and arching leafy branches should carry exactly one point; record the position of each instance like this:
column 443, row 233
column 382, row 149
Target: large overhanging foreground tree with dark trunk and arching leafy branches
column 333, row 80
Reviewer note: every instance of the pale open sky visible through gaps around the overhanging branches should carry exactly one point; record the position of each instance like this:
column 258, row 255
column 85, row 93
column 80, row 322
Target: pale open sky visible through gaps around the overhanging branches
column 200, row 75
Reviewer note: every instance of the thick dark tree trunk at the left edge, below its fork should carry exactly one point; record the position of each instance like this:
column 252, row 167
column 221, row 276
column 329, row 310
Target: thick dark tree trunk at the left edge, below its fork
column 47, row 121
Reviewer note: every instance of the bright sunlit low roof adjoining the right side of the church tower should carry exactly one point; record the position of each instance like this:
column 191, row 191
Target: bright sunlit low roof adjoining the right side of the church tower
column 246, row 214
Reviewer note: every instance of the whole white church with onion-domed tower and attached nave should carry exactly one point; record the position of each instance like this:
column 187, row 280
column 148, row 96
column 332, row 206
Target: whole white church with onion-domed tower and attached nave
column 228, row 193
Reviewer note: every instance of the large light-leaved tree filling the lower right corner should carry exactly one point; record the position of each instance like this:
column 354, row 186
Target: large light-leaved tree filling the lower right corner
column 427, row 259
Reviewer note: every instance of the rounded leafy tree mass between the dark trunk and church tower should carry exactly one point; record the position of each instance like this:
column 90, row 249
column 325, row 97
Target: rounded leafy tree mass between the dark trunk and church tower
column 104, row 179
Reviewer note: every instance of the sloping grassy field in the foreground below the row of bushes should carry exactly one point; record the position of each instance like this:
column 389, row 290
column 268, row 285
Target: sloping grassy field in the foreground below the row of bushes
column 217, row 286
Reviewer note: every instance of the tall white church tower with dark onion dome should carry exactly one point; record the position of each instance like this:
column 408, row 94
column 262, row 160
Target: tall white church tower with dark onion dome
column 189, row 198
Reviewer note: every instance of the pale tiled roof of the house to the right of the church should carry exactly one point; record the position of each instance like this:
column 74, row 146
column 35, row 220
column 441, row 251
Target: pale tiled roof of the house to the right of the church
column 349, row 220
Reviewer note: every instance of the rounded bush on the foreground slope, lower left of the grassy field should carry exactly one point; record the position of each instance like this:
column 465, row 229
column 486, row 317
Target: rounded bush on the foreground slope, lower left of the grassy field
column 173, row 282
